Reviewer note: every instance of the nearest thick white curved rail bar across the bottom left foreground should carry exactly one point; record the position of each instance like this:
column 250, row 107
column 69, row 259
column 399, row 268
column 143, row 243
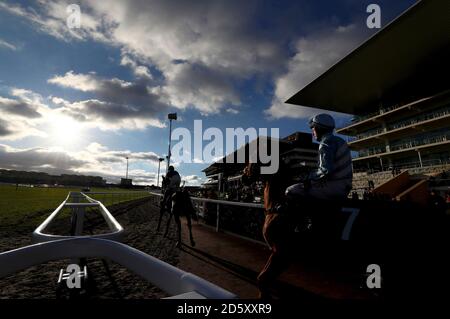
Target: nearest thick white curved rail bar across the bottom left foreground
column 170, row 279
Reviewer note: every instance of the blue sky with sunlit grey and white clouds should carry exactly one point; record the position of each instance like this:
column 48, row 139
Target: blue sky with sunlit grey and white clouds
column 79, row 100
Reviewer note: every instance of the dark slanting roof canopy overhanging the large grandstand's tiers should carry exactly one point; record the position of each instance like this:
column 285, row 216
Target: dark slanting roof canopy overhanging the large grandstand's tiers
column 406, row 60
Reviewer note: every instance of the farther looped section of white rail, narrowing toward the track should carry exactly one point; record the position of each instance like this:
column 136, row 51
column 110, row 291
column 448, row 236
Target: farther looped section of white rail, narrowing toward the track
column 78, row 211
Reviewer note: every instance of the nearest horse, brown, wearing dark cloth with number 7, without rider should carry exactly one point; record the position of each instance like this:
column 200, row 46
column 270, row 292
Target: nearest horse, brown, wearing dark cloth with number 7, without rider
column 404, row 239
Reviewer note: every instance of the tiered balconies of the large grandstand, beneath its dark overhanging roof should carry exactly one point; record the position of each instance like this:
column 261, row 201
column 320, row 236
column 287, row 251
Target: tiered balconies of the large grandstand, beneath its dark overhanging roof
column 412, row 135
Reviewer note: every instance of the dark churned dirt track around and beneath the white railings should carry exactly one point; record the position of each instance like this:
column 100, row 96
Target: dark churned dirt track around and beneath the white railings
column 109, row 280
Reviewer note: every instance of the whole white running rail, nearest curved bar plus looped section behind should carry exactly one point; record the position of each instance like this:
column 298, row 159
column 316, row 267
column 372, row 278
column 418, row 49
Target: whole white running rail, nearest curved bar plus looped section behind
column 170, row 279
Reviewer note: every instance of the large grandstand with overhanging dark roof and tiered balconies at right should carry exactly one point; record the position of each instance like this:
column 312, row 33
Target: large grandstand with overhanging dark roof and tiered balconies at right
column 397, row 86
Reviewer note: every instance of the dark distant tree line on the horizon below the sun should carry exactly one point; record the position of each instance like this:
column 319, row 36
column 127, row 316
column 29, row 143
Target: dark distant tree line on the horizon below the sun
column 22, row 177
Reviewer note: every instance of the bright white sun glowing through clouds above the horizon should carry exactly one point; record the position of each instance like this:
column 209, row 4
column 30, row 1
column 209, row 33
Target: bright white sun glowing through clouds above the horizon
column 65, row 131
